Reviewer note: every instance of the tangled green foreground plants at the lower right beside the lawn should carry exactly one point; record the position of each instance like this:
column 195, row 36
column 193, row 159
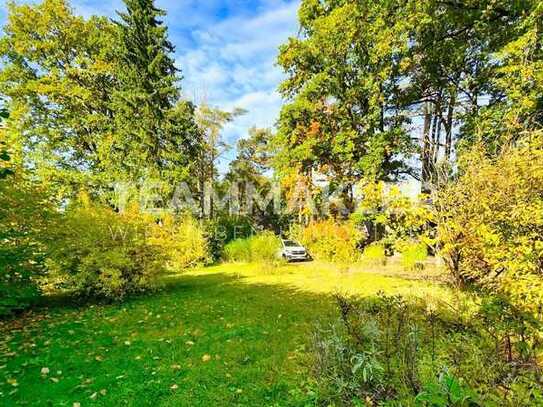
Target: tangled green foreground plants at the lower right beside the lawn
column 392, row 351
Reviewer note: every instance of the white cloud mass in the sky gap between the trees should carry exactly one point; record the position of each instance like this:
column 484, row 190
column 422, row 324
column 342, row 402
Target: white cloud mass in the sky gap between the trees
column 234, row 65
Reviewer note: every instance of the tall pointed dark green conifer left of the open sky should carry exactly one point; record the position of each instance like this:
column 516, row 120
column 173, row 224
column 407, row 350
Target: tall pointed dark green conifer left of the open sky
column 152, row 137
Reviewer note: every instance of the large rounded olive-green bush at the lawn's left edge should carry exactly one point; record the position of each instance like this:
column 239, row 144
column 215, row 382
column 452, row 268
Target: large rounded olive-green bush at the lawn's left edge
column 97, row 252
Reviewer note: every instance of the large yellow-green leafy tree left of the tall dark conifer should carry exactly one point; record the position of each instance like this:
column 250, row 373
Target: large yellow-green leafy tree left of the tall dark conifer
column 58, row 77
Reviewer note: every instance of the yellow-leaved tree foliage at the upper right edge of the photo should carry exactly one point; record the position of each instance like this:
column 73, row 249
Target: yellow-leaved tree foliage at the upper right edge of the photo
column 516, row 109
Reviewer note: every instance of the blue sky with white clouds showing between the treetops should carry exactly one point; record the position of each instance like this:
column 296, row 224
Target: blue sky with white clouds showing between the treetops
column 226, row 50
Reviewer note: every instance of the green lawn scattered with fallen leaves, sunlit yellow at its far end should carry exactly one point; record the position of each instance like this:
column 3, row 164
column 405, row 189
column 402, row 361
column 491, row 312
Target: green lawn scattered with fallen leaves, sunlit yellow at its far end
column 233, row 334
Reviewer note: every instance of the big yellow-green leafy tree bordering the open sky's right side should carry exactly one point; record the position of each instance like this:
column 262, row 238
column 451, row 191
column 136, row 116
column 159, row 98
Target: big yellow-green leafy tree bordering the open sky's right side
column 339, row 118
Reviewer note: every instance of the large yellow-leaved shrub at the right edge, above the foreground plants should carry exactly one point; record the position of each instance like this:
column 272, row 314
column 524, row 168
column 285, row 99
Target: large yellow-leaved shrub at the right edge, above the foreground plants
column 491, row 223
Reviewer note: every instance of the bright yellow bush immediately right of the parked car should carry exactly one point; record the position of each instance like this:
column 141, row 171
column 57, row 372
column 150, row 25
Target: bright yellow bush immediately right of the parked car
column 330, row 241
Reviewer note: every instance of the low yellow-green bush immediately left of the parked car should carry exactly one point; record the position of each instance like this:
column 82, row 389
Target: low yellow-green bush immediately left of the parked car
column 262, row 247
